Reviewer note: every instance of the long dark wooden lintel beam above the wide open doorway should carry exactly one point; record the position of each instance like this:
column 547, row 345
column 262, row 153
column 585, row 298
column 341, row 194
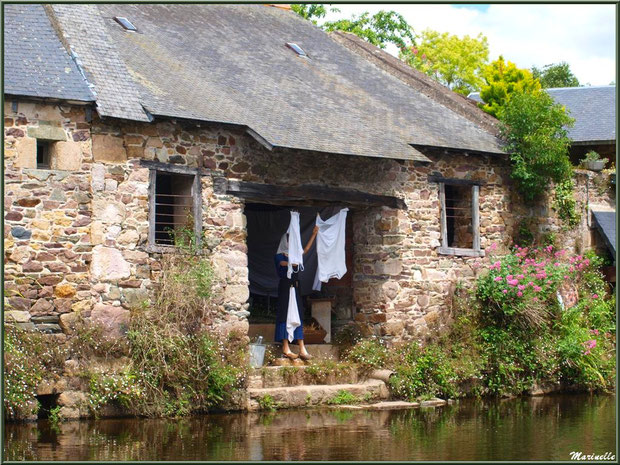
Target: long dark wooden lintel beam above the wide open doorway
column 304, row 195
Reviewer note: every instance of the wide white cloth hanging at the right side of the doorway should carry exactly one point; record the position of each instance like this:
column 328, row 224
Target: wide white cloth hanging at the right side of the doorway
column 330, row 242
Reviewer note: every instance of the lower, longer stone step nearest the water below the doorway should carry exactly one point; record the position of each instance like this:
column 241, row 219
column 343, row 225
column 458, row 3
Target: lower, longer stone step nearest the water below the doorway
column 313, row 395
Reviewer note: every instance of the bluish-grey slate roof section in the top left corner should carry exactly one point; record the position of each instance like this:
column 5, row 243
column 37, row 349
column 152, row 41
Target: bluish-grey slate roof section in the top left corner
column 36, row 63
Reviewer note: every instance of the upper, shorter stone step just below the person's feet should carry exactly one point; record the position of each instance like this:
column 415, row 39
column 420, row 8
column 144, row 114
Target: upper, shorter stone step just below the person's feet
column 312, row 374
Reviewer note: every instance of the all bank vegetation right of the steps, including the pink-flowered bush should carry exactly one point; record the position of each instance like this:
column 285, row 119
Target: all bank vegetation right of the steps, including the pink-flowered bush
column 535, row 319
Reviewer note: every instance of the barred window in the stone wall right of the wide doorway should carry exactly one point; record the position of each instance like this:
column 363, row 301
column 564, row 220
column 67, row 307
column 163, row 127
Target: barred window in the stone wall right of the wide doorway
column 460, row 221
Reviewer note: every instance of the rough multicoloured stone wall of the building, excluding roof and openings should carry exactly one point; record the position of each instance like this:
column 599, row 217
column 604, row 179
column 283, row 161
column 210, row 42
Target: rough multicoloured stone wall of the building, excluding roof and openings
column 76, row 238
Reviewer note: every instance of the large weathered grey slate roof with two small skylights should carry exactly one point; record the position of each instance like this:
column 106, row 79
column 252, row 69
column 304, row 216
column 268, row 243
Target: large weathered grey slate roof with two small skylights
column 229, row 64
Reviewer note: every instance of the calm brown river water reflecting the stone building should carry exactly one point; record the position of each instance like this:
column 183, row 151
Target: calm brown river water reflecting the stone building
column 543, row 428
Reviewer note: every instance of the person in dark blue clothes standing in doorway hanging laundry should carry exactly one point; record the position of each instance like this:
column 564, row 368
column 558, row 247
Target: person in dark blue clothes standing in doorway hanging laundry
column 284, row 286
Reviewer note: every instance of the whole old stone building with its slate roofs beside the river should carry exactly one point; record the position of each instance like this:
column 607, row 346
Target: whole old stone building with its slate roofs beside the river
column 124, row 120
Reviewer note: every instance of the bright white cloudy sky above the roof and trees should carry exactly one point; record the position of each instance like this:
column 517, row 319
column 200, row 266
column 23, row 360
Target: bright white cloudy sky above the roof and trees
column 529, row 35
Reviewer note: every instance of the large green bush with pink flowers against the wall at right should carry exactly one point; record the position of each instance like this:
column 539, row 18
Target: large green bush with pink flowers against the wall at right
column 528, row 333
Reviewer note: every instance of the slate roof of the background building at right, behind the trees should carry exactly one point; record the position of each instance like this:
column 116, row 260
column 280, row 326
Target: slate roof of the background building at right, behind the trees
column 592, row 107
